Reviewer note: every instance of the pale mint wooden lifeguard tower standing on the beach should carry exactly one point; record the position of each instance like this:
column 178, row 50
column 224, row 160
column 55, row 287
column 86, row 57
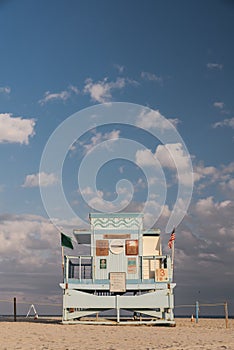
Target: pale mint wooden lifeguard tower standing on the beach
column 125, row 278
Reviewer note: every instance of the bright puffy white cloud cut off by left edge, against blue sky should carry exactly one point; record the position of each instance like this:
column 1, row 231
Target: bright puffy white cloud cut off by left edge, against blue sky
column 15, row 129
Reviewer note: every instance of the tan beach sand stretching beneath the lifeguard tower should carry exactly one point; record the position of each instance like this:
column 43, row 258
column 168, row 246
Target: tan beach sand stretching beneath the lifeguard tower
column 51, row 334
